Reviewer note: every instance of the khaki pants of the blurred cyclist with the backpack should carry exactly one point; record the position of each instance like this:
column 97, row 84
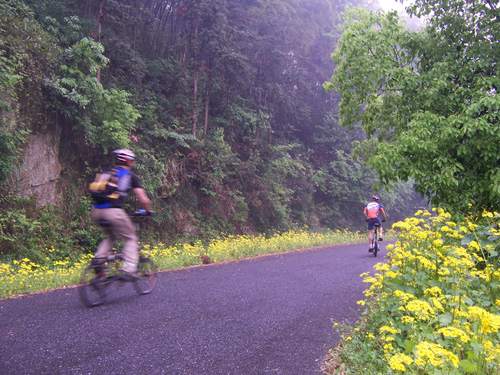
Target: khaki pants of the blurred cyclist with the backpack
column 121, row 227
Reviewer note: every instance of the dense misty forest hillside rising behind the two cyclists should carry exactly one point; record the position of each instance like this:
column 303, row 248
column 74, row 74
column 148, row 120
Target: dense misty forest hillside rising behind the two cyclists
column 222, row 100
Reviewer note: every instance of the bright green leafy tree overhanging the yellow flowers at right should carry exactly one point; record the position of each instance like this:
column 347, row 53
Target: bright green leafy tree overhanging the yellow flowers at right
column 427, row 100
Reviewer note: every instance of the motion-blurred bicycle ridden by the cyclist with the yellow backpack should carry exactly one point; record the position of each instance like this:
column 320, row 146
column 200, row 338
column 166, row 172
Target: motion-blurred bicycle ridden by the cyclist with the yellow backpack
column 97, row 278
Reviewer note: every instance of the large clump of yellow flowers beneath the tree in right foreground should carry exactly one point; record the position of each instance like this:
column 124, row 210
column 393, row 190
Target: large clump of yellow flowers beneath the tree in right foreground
column 434, row 307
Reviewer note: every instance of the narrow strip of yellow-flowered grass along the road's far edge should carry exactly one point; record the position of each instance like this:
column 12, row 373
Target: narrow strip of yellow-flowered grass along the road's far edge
column 24, row 276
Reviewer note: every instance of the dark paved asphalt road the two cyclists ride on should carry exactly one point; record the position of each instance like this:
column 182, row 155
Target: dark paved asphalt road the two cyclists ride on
column 267, row 315
